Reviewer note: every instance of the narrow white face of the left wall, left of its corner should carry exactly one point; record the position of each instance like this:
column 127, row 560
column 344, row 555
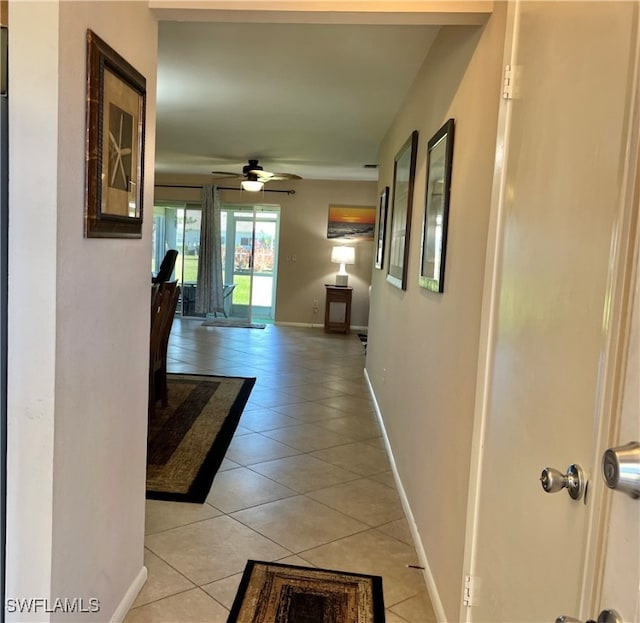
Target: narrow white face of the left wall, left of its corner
column 33, row 152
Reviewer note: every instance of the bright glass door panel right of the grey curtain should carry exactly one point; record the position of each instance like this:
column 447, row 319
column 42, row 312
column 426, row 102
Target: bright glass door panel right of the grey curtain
column 250, row 236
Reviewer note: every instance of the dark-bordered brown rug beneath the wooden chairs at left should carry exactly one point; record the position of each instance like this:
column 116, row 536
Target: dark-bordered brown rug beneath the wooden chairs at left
column 187, row 440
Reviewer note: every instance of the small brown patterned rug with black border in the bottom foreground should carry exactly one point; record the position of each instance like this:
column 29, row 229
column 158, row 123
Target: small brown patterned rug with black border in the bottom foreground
column 270, row 592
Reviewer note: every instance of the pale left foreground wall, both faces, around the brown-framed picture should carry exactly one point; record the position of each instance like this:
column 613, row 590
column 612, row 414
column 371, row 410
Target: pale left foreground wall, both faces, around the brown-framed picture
column 78, row 322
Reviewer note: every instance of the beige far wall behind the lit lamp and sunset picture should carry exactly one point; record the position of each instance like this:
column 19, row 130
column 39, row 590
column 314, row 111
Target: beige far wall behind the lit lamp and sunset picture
column 303, row 236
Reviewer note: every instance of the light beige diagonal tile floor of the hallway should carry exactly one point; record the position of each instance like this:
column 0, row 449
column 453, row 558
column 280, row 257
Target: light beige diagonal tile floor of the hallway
column 305, row 480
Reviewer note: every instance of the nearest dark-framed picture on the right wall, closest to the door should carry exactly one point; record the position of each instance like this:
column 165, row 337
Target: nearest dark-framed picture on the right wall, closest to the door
column 436, row 211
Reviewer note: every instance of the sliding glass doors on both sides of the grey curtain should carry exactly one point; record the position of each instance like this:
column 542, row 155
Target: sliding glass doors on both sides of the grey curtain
column 249, row 253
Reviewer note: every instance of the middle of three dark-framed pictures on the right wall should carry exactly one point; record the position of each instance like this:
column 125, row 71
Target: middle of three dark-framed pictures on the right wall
column 404, row 172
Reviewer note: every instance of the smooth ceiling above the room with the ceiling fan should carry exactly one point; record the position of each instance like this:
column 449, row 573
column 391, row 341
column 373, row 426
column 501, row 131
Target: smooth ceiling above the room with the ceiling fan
column 310, row 99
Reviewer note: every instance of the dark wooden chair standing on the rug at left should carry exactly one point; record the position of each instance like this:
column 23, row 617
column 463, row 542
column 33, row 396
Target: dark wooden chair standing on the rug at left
column 163, row 309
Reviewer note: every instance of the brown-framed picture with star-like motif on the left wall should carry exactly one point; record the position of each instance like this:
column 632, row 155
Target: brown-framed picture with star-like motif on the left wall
column 116, row 98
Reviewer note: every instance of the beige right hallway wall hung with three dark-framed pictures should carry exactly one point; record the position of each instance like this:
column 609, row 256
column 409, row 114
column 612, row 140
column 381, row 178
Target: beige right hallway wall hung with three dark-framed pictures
column 423, row 346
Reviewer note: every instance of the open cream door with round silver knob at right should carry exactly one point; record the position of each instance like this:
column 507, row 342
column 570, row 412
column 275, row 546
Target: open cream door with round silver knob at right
column 552, row 322
